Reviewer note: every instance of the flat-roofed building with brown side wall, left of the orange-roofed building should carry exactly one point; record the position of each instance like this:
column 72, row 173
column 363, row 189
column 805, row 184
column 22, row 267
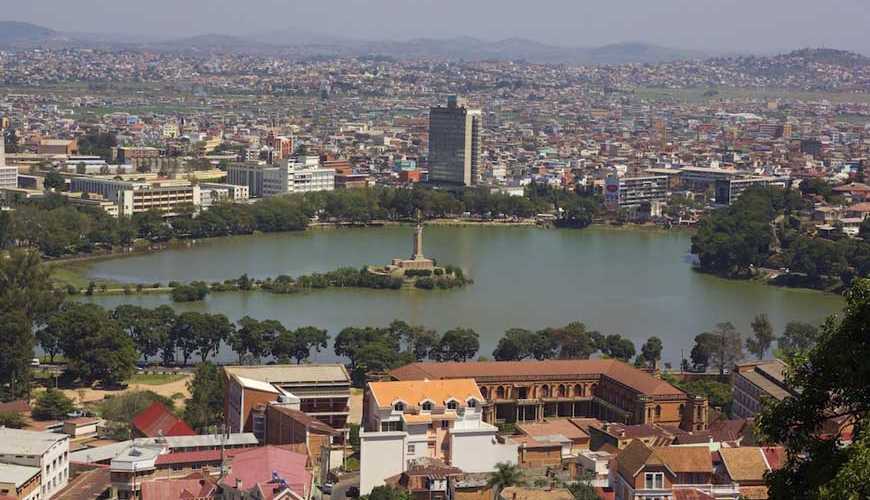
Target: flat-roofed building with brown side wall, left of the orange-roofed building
column 323, row 392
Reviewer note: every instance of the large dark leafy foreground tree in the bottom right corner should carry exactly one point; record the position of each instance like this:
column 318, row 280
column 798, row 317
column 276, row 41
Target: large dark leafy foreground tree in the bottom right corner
column 832, row 398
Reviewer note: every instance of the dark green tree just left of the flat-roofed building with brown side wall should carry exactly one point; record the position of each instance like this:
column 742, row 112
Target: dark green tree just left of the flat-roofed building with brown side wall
column 205, row 407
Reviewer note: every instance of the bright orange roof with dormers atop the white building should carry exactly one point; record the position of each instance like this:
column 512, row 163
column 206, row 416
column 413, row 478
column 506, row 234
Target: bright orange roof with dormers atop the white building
column 413, row 392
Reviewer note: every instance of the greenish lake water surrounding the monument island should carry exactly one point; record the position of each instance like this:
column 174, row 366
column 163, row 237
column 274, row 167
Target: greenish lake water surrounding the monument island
column 634, row 282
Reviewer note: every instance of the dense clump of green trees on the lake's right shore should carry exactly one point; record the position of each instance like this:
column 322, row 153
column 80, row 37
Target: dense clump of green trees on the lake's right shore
column 762, row 229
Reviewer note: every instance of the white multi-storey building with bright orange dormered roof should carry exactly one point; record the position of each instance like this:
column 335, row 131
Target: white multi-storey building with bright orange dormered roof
column 408, row 420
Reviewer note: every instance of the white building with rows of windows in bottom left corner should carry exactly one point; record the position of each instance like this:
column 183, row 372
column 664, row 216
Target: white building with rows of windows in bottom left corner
column 46, row 451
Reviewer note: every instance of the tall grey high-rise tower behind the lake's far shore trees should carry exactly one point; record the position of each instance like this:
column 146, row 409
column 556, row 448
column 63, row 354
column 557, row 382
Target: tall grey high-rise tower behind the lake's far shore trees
column 454, row 143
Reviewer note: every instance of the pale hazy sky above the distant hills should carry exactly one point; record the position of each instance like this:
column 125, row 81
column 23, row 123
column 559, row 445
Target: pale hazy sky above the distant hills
column 756, row 25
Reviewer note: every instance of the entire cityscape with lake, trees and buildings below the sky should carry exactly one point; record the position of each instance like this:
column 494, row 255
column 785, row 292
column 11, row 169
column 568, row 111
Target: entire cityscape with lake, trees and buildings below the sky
column 233, row 272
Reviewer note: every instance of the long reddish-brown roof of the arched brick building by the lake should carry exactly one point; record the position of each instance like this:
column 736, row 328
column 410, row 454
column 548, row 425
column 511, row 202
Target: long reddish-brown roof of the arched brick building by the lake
column 623, row 373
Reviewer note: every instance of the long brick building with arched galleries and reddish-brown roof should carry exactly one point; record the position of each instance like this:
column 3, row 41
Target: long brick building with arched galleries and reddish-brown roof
column 606, row 389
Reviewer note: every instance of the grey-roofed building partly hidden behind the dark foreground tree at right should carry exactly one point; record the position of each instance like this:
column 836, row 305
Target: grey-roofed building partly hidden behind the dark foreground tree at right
column 755, row 382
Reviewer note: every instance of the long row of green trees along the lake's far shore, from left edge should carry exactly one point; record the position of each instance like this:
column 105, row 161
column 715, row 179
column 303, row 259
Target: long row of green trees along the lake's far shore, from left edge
column 57, row 228
